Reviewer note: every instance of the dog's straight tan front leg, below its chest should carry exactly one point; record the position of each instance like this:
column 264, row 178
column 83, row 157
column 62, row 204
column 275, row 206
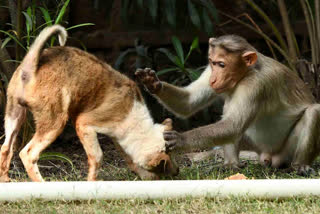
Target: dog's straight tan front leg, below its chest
column 89, row 140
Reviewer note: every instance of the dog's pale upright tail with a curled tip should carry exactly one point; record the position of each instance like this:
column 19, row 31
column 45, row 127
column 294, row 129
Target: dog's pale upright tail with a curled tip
column 31, row 60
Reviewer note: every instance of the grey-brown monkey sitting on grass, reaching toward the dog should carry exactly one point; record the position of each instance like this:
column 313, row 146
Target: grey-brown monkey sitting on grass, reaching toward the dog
column 268, row 108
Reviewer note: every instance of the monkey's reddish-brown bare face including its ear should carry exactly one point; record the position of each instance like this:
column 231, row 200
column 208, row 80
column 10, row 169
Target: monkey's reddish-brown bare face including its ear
column 227, row 68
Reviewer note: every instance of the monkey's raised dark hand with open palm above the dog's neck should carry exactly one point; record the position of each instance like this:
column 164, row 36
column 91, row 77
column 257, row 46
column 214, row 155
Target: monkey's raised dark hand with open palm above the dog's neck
column 149, row 79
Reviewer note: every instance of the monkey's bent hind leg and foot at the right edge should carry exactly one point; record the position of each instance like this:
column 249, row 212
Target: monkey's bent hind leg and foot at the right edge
column 305, row 136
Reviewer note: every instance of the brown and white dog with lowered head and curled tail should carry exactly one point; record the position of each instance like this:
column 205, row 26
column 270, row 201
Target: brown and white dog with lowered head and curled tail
column 62, row 83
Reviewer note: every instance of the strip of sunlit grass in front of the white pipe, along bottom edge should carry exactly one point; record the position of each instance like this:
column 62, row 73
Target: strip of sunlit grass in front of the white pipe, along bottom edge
column 187, row 205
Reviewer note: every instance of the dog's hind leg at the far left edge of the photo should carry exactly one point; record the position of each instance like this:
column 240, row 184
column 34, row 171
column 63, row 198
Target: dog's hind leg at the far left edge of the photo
column 15, row 116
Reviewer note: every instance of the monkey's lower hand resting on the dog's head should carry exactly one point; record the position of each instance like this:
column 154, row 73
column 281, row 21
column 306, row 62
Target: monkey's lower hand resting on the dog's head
column 174, row 140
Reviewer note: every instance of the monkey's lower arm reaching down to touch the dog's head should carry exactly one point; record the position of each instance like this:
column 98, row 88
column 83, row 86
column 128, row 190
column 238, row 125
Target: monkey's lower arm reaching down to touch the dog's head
column 236, row 120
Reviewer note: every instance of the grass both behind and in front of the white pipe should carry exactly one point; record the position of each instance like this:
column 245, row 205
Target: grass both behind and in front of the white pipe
column 114, row 168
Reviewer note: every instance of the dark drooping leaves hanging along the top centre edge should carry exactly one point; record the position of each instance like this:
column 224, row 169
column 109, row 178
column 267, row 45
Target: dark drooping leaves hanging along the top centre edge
column 200, row 12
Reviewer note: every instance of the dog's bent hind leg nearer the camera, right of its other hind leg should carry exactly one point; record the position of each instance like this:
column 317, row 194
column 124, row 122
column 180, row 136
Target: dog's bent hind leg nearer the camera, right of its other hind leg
column 47, row 130
